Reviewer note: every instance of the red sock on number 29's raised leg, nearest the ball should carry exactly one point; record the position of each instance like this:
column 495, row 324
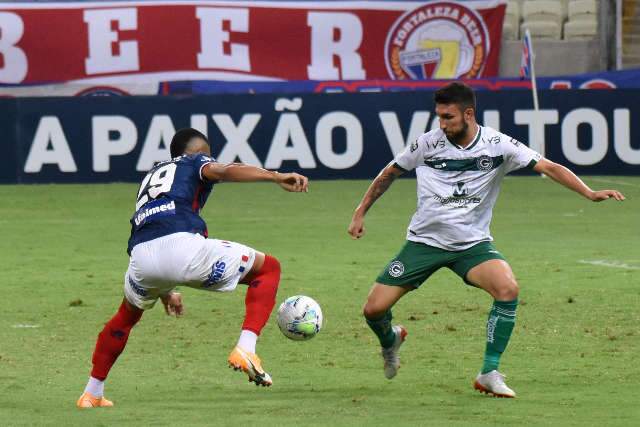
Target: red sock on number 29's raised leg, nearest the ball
column 261, row 295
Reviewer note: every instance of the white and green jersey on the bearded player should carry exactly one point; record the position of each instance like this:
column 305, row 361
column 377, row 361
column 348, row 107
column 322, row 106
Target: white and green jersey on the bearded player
column 458, row 187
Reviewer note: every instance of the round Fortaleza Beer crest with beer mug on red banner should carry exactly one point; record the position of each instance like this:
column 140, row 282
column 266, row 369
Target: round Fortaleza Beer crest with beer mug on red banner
column 440, row 40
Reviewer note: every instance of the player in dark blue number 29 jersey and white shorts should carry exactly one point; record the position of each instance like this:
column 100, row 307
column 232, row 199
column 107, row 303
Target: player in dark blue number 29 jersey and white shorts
column 169, row 246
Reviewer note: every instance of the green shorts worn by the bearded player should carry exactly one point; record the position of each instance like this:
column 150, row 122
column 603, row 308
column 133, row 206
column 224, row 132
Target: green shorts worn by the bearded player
column 416, row 262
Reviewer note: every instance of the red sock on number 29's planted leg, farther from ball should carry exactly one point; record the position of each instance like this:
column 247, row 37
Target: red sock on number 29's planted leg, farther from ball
column 112, row 340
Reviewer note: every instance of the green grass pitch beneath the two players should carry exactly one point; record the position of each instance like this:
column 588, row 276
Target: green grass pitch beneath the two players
column 573, row 359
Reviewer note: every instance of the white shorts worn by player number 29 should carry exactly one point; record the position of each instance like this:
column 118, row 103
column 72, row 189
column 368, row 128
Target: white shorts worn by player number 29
column 157, row 266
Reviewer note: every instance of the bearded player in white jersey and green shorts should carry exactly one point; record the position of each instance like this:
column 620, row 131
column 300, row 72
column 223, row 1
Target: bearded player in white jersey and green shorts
column 459, row 168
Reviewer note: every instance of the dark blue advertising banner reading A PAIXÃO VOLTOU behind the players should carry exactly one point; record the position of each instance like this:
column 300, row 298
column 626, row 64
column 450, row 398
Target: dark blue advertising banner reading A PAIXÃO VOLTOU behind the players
column 325, row 136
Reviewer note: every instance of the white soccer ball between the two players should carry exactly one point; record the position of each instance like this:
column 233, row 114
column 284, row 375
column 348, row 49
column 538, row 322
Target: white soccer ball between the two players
column 299, row 318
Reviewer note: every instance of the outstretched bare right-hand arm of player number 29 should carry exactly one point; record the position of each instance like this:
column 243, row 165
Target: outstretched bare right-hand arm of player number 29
column 239, row 172
